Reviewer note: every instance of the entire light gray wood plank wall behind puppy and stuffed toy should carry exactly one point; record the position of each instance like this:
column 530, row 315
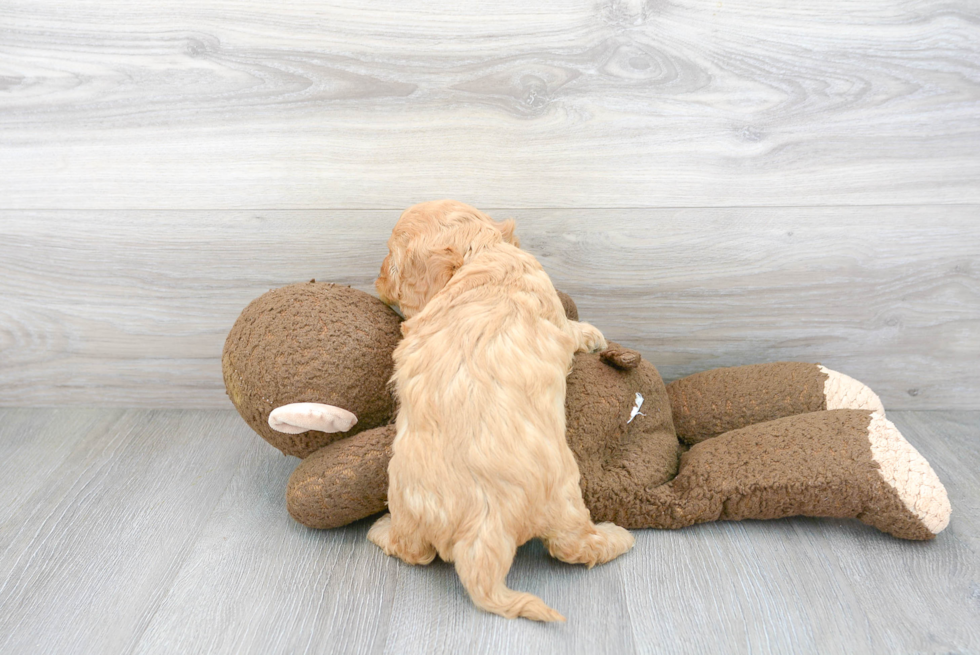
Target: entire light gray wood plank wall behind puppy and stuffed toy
column 715, row 185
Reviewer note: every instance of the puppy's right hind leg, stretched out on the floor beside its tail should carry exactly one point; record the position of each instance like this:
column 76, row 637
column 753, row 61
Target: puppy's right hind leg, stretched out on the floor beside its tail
column 575, row 539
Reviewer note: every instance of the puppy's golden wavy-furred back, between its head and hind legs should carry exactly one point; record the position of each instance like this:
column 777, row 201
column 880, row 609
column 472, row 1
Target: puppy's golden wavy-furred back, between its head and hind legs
column 481, row 377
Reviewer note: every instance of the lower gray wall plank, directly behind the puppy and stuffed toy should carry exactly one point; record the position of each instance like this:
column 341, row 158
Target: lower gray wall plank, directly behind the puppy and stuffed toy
column 132, row 308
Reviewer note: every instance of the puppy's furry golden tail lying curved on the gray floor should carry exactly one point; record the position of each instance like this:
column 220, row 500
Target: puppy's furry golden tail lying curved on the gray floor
column 482, row 566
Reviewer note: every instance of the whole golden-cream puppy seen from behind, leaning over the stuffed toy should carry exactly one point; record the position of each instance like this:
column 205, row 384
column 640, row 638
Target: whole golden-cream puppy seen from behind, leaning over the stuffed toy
column 480, row 462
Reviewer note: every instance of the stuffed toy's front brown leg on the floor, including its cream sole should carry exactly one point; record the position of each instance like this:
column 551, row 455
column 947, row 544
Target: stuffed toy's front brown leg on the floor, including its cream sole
column 837, row 463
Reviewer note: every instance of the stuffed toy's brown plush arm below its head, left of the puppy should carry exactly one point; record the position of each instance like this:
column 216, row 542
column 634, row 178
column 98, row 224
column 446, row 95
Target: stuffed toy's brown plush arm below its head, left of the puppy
column 342, row 482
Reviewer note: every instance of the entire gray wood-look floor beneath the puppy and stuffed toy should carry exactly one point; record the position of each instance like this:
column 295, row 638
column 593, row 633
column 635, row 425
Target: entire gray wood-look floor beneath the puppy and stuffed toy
column 165, row 531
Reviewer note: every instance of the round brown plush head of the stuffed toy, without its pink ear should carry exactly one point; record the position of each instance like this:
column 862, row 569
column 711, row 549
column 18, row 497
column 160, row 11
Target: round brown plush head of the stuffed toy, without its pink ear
column 311, row 342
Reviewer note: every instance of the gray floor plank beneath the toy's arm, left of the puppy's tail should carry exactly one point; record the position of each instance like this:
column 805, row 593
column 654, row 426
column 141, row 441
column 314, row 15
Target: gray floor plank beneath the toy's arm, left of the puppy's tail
column 277, row 586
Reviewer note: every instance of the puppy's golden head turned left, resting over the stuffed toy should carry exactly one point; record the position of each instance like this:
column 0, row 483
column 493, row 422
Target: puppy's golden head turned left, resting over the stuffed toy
column 430, row 242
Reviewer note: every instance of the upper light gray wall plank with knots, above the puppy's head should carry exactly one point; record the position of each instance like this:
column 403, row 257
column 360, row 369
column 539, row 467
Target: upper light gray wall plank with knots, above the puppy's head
column 617, row 103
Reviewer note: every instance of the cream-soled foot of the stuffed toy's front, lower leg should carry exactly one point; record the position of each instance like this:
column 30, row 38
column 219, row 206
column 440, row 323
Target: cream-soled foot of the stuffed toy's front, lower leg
column 910, row 501
